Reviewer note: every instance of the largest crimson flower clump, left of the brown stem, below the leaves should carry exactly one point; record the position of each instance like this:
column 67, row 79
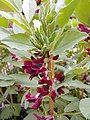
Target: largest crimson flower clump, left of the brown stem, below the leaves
column 34, row 67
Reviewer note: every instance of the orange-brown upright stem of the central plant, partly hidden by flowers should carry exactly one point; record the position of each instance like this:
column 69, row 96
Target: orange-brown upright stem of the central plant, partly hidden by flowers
column 51, row 77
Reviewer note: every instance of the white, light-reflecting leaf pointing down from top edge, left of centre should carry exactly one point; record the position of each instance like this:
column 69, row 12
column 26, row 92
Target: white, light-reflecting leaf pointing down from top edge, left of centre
column 29, row 8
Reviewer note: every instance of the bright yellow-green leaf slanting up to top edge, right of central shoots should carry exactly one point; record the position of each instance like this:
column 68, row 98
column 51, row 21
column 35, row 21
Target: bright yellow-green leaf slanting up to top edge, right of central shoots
column 66, row 12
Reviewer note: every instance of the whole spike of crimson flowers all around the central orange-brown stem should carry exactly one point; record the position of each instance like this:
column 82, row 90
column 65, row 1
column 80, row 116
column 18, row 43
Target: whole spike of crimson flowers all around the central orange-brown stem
column 37, row 67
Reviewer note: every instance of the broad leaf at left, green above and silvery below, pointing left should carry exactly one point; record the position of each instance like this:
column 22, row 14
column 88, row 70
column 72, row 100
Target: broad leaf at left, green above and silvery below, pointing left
column 19, row 42
